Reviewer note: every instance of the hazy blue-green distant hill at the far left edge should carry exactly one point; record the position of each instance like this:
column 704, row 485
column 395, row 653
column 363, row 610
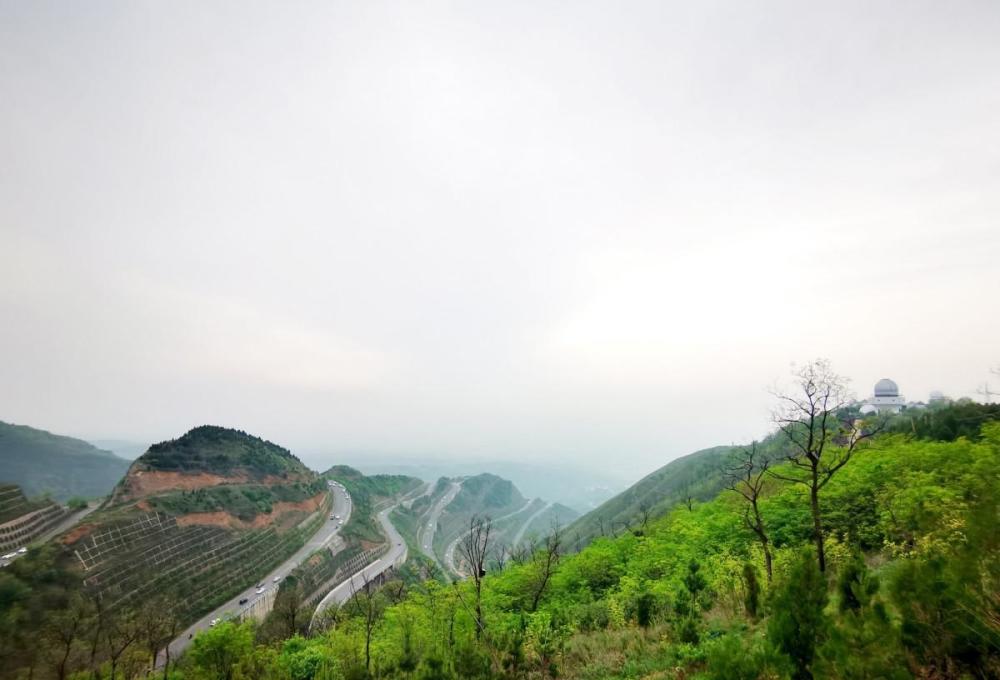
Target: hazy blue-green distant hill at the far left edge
column 44, row 463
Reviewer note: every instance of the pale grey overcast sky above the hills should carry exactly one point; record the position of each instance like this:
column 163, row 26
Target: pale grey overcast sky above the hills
column 582, row 232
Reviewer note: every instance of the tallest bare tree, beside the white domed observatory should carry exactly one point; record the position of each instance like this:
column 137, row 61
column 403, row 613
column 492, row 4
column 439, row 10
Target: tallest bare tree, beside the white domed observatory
column 820, row 442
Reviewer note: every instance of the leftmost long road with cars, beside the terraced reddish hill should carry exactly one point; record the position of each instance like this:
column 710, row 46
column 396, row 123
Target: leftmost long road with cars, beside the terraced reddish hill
column 322, row 538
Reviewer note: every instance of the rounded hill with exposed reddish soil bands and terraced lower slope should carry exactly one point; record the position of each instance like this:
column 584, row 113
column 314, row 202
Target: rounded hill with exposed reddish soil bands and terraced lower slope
column 198, row 518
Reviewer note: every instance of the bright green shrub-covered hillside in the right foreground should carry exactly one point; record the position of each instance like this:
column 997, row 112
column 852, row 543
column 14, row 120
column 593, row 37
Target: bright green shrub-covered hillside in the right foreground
column 911, row 589
